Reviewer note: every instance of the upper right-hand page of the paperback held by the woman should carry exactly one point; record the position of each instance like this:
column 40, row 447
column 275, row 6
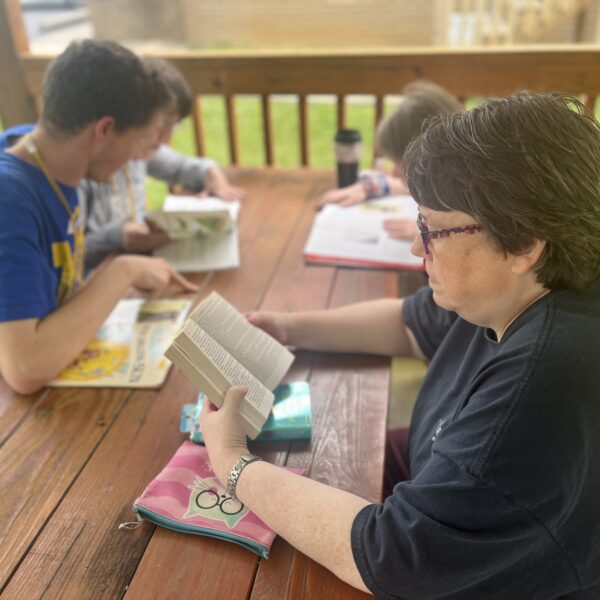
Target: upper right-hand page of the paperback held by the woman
column 261, row 354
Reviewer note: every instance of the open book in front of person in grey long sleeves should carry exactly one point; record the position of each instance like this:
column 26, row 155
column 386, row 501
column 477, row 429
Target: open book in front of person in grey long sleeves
column 203, row 232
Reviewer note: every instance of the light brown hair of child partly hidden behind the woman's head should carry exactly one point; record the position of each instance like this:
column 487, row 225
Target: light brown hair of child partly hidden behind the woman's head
column 422, row 99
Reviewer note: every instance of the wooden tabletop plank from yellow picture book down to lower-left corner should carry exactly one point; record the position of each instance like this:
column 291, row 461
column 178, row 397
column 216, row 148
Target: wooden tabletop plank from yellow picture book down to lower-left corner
column 42, row 459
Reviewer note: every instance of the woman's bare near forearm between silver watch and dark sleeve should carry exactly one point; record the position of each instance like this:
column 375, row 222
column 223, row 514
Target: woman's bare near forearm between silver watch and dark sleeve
column 313, row 517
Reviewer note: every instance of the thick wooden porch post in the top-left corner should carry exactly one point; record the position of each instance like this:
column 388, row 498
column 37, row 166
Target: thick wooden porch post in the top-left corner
column 16, row 103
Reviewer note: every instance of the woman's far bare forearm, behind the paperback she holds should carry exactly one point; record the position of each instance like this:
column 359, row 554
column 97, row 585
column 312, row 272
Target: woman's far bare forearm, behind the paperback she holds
column 374, row 327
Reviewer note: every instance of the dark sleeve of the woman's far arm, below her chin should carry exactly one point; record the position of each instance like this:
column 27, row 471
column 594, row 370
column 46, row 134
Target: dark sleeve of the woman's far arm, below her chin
column 428, row 322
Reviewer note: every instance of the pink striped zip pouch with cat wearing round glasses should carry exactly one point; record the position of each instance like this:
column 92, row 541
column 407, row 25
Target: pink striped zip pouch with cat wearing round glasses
column 187, row 497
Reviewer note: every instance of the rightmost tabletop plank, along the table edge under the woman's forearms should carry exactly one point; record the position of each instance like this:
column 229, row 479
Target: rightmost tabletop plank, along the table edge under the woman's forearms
column 349, row 401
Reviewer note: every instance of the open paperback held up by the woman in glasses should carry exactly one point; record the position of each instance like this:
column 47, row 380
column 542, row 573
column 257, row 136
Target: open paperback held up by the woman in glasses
column 217, row 348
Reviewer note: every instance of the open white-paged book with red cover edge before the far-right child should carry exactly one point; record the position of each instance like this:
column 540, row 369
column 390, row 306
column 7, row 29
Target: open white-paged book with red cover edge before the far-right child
column 354, row 236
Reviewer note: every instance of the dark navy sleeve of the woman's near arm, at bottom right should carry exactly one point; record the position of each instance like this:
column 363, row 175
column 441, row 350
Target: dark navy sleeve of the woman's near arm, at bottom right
column 452, row 536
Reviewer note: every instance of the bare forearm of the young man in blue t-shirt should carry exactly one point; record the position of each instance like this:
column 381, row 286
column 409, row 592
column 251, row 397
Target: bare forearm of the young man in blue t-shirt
column 34, row 351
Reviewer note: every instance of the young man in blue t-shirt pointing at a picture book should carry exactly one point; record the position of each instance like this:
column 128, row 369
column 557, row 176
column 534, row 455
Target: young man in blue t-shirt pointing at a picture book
column 100, row 108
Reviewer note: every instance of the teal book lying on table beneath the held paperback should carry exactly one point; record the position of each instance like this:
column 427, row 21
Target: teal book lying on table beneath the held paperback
column 290, row 417
